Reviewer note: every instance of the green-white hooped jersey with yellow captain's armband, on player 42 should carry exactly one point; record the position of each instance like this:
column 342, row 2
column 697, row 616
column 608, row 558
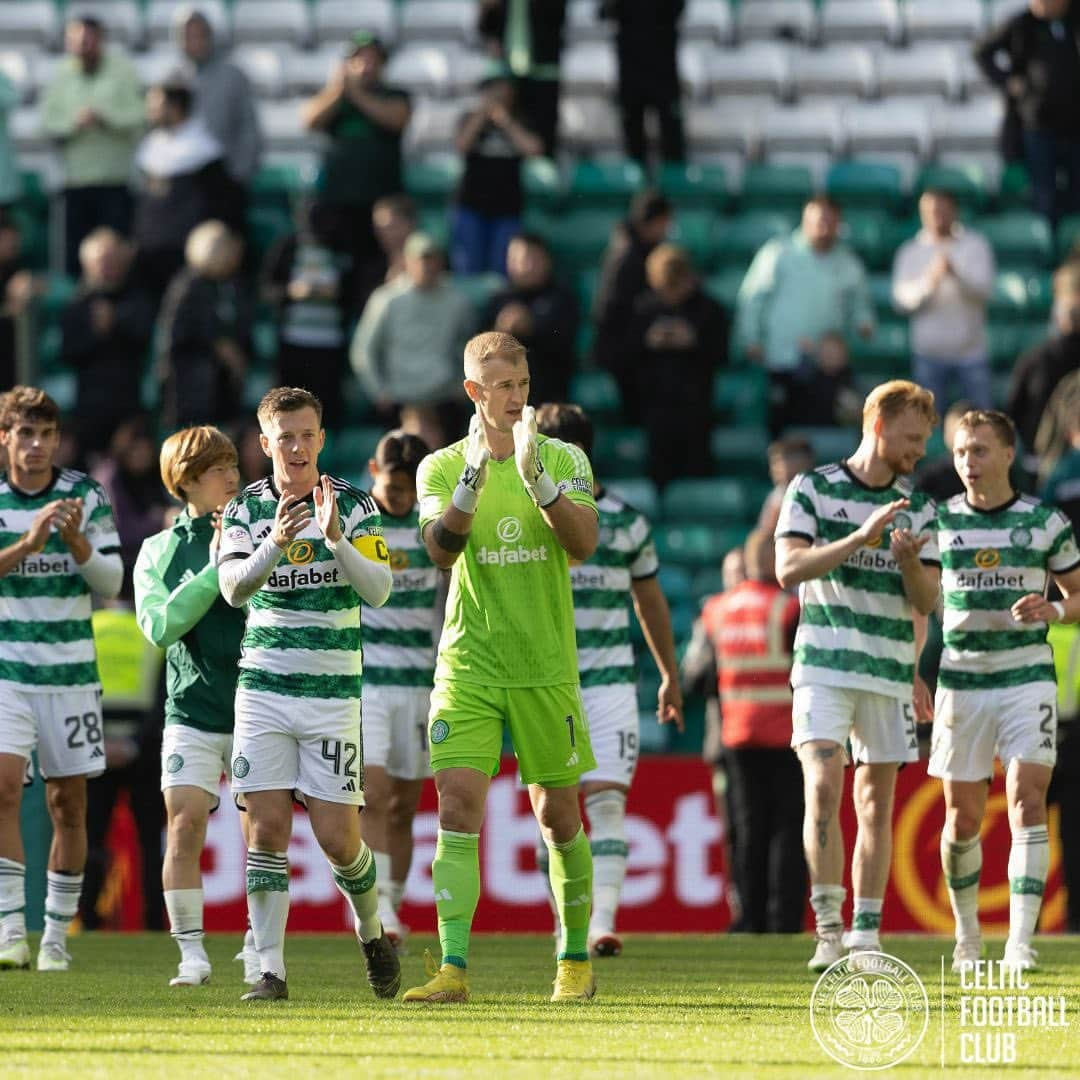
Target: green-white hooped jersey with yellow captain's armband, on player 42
column 303, row 633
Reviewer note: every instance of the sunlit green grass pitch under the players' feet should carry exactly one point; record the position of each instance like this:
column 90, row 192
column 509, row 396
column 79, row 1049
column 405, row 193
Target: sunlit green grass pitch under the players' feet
column 672, row 1007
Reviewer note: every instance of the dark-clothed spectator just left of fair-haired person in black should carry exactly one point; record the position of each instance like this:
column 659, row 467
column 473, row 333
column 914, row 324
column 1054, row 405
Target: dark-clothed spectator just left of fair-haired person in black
column 622, row 281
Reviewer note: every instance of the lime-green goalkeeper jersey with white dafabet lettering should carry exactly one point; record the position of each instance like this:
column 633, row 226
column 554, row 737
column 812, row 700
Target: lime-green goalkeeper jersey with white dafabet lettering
column 510, row 613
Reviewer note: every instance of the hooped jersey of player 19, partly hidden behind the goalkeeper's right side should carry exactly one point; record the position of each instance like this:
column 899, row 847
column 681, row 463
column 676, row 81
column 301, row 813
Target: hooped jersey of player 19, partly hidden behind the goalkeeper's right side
column 602, row 593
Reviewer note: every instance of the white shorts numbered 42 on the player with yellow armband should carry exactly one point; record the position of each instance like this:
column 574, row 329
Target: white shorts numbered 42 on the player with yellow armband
column 305, row 746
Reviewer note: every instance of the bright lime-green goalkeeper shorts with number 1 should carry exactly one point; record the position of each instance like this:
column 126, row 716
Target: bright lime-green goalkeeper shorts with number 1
column 547, row 724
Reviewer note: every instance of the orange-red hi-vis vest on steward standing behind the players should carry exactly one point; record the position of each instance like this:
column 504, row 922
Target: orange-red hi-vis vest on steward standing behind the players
column 752, row 628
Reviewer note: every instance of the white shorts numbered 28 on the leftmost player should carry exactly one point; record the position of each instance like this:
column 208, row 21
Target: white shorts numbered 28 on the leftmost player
column 65, row 728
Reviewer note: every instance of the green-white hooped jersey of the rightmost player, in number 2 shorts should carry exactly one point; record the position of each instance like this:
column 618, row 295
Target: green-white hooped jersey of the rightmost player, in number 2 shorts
column 990, row 561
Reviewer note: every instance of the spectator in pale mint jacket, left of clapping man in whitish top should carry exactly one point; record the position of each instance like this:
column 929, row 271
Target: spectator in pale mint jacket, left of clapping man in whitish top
column 799, row 289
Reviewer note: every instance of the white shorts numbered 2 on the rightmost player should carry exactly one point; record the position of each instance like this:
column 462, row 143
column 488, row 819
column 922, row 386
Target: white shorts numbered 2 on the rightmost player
column 1019, row 723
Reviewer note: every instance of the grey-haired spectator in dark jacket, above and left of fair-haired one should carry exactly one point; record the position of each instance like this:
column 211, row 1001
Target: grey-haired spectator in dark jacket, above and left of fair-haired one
column 105, row 335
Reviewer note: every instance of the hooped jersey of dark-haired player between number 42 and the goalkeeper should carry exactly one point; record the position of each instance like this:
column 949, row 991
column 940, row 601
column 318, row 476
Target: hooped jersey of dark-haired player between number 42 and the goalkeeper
column 400, row 637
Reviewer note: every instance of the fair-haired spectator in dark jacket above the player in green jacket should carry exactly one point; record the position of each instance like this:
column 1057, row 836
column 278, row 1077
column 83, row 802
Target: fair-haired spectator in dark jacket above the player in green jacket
column 205, row 335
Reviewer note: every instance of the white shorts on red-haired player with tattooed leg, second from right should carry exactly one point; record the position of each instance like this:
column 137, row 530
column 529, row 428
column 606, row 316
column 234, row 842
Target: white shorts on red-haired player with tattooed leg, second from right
column 881, row 728
